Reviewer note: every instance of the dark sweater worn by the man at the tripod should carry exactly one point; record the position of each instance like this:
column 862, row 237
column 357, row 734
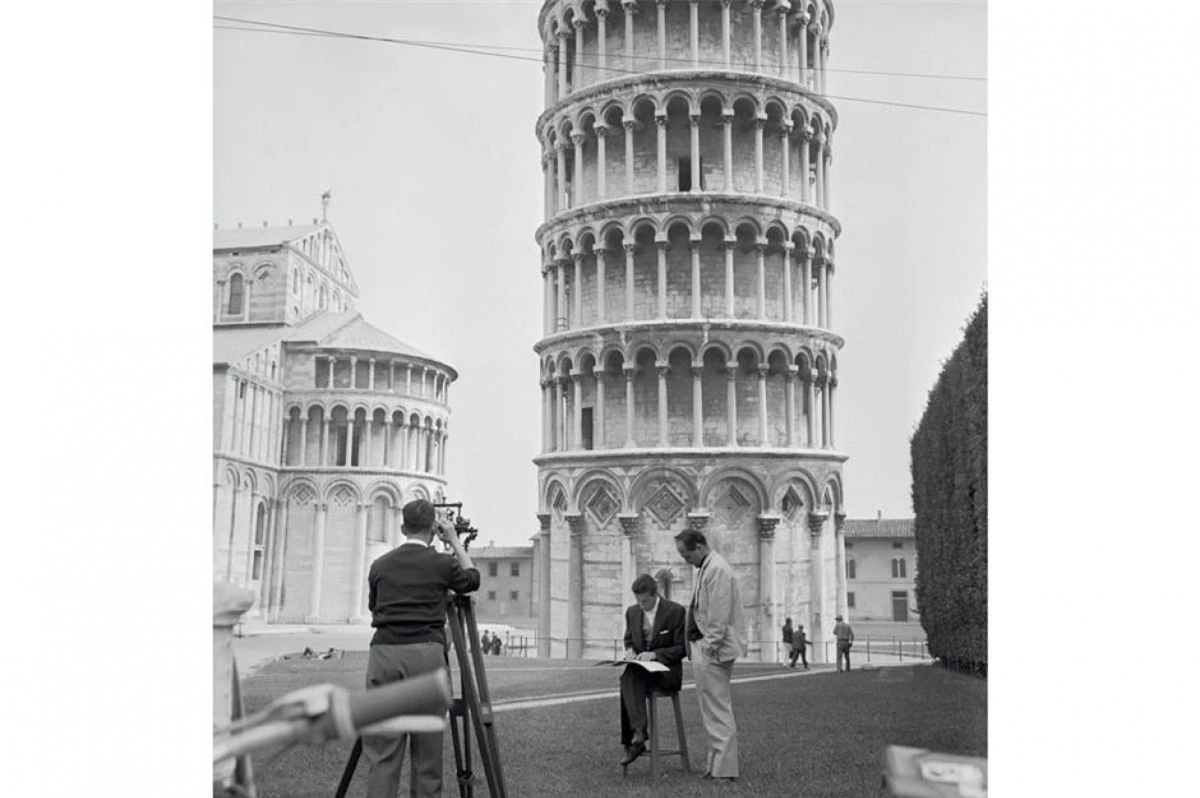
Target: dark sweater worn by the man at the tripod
column 409, row 593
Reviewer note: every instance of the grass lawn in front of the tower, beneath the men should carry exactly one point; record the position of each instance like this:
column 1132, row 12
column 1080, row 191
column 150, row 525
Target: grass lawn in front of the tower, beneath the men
column 819, row 735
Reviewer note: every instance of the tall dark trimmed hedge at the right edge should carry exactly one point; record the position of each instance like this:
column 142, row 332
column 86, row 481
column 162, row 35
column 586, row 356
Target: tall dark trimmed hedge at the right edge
column 950, row 499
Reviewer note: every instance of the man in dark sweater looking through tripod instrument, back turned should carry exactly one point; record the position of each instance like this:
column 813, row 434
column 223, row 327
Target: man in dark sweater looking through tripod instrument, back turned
column 409, row 593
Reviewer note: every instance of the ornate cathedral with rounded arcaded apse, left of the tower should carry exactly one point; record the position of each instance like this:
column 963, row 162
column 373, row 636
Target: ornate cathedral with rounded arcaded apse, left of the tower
column 323, row 425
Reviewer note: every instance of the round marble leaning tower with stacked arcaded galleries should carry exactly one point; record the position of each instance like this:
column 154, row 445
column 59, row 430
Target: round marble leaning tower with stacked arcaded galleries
column 689, row 359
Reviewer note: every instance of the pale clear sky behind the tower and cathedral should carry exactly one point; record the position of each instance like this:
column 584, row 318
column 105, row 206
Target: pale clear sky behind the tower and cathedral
column 437, row 190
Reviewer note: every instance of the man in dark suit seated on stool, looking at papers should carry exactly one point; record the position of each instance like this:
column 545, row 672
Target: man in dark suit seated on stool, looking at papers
column 656, row 629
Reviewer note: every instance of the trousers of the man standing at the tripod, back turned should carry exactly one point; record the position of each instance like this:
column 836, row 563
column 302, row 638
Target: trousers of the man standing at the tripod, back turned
column 386, row 755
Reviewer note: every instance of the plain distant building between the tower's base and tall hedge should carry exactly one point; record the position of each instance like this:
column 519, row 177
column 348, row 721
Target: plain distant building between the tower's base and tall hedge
column 881, row 569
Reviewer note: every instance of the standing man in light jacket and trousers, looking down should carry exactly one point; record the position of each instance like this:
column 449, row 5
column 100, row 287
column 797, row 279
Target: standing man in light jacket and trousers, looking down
column 715, row 641
